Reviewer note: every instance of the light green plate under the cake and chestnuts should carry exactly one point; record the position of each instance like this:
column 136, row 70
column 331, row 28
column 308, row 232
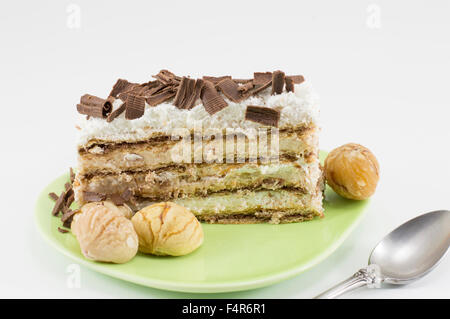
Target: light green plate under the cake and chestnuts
column 232, row 257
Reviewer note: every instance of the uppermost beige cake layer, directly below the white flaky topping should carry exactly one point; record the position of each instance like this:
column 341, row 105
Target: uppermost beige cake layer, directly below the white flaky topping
column 143, row 156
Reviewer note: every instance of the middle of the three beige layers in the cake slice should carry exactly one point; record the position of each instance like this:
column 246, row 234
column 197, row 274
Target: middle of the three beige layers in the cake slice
column 206, row 179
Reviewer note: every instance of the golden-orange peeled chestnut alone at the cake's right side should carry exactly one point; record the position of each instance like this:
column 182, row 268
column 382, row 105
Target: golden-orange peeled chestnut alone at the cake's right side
column 352, row 171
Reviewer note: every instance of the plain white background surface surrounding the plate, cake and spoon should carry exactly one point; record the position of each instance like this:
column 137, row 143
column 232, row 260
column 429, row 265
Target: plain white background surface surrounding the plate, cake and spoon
column 386, row 88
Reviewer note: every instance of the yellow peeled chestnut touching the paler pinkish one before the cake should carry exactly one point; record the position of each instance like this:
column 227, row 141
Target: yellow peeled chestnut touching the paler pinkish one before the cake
column 167, row 229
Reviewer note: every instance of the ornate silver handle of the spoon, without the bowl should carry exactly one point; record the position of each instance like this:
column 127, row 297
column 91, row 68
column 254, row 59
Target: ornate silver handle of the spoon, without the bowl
column 368, row 276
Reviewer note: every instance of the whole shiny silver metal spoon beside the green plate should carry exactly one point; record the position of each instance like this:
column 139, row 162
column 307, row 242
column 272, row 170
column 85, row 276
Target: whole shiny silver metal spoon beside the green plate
column 406, row 254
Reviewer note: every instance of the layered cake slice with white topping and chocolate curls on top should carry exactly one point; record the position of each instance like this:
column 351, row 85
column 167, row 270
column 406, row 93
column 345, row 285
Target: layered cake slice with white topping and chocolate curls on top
column 230, row 150
